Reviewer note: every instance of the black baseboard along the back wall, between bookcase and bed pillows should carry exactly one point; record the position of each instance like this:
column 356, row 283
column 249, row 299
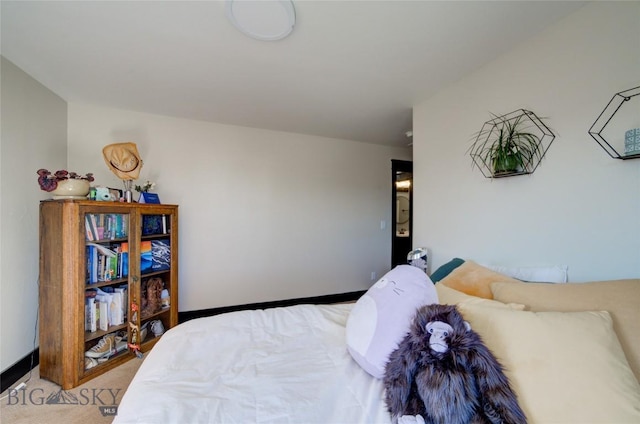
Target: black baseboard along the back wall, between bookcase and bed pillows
column 316, row 300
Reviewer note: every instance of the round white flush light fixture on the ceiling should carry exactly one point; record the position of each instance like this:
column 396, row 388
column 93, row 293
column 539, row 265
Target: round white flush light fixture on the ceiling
column 265, row 20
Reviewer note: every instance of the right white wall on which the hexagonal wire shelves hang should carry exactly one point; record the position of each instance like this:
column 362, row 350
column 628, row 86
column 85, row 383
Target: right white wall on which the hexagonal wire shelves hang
column 580, row 207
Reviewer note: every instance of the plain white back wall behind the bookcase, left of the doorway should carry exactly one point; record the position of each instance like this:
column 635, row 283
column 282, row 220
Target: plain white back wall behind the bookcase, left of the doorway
column 264, row 215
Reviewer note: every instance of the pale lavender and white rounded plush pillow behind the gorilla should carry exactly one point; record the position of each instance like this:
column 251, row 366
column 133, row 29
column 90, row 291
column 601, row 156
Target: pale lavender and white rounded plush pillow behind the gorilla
column 382, row 316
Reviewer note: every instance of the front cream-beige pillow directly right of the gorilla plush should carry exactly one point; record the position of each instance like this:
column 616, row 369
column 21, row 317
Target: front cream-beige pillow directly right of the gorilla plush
column 566, row 367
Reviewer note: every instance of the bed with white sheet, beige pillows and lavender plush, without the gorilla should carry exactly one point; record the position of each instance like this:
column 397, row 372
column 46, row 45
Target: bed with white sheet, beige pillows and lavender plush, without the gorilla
column 571, row 351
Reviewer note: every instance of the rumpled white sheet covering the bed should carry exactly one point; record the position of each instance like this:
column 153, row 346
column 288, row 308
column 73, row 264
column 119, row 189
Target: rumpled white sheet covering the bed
column 281, row 365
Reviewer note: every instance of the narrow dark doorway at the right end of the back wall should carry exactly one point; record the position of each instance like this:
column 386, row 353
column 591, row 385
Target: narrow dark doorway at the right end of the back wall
column 401, row 211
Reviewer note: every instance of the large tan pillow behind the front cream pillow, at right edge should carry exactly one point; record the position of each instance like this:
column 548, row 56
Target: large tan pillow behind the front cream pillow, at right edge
column 620, row 297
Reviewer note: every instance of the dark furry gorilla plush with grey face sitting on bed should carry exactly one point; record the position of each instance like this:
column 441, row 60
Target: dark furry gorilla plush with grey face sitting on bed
column 443, row 373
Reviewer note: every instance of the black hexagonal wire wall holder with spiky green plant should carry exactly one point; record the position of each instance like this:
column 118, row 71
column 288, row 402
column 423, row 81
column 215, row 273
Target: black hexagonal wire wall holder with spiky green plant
column 511, row 144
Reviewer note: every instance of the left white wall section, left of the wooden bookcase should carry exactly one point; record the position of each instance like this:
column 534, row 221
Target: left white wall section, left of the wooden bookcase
column 34, row 136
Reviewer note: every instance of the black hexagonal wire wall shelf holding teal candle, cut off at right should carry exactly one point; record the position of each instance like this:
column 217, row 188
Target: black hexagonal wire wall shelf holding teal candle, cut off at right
column 625, row 101
